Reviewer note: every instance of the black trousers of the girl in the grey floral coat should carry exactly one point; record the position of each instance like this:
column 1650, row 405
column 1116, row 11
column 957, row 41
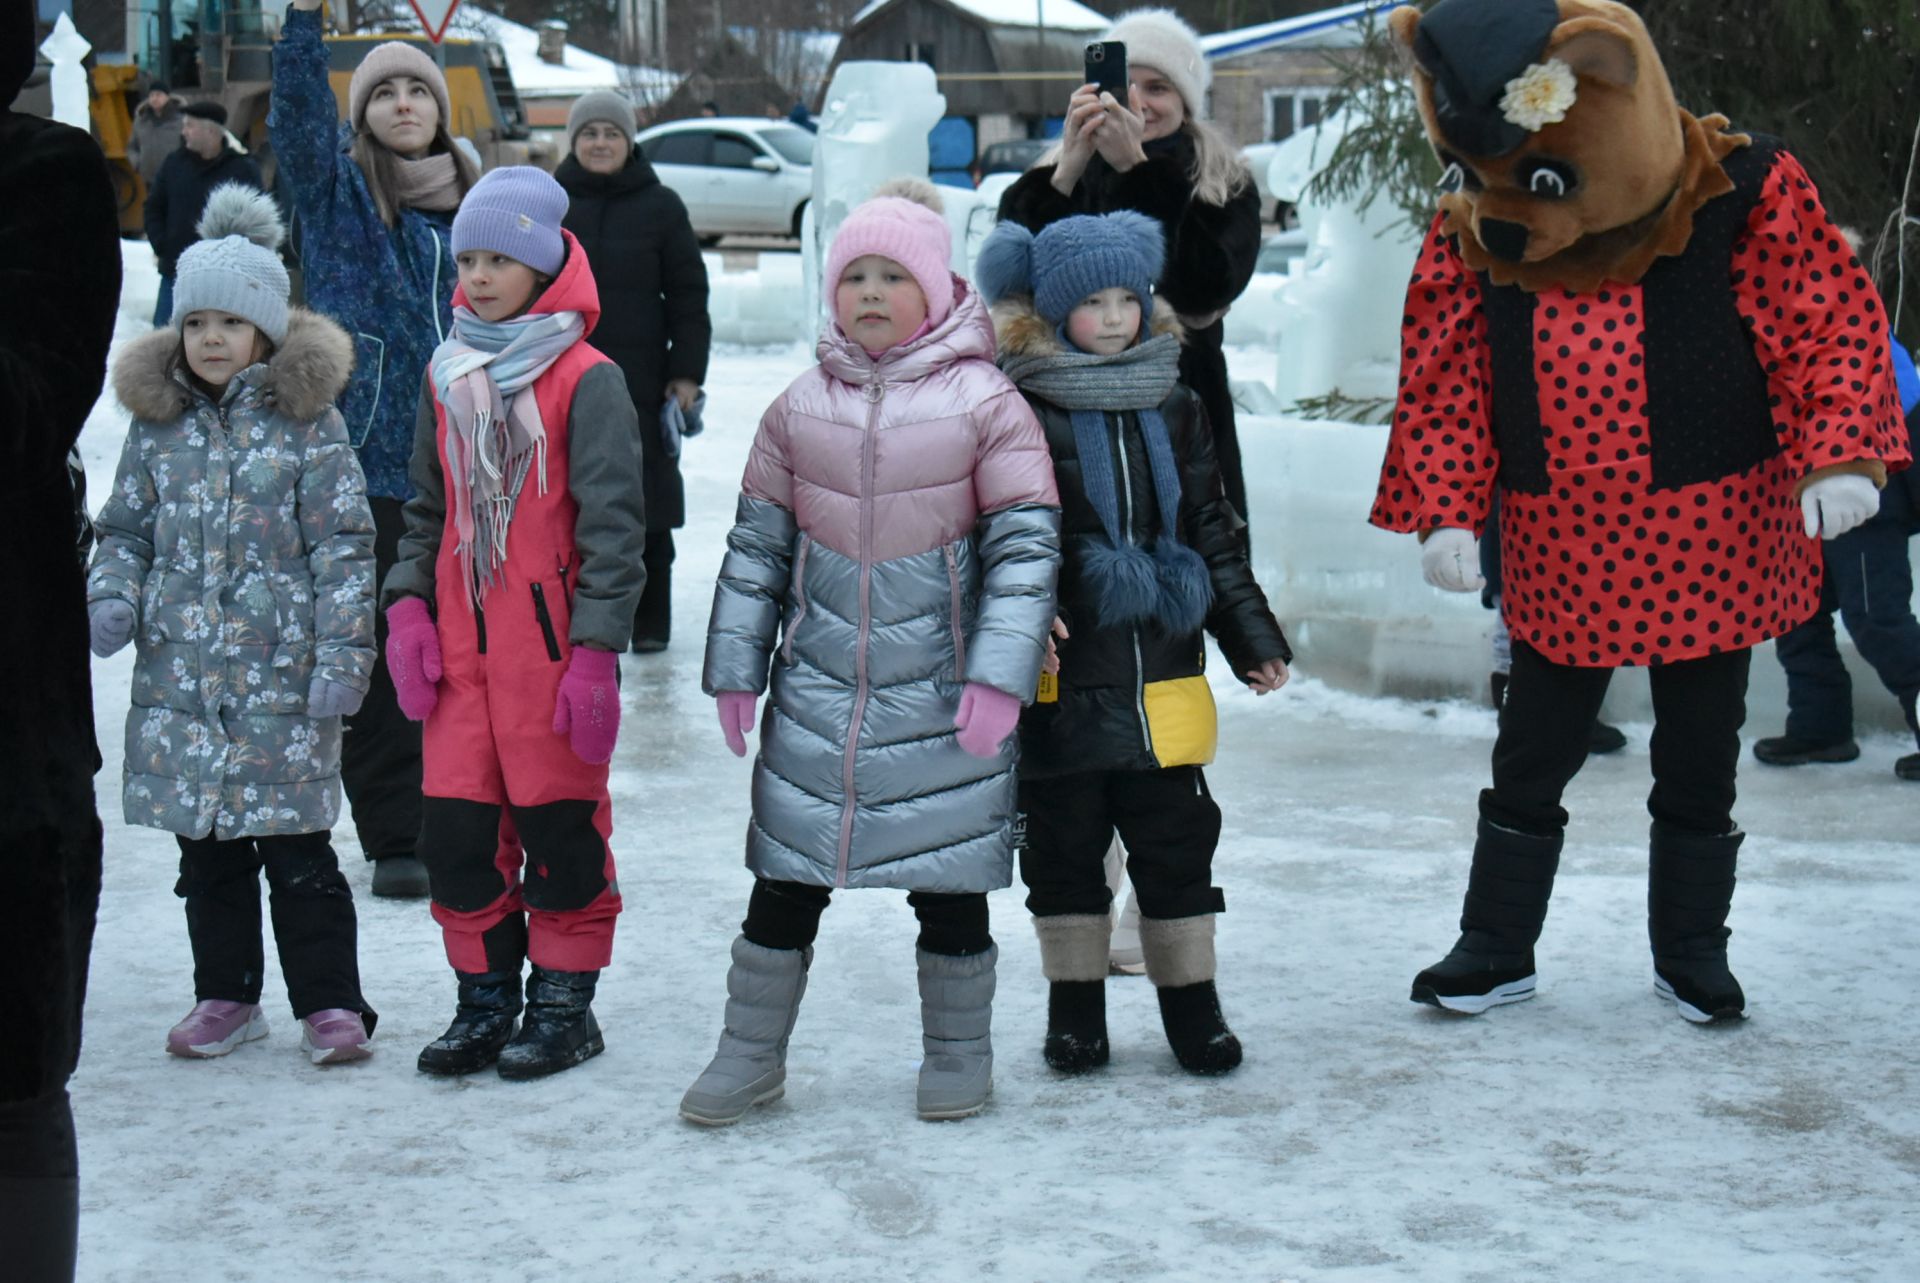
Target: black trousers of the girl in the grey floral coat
column 314, row 921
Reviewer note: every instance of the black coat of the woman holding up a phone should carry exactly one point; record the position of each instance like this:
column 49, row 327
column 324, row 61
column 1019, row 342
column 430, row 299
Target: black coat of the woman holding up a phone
column 1211, row 258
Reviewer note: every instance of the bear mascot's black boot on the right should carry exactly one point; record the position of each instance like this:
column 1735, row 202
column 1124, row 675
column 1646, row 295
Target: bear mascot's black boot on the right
column 1691, row 890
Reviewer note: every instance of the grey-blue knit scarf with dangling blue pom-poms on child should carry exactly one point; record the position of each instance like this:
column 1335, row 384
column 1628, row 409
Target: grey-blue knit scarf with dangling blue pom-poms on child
column 1168, row 587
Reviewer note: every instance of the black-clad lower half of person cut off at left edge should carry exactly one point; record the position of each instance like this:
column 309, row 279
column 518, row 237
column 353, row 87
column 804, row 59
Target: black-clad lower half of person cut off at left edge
column 49, row 923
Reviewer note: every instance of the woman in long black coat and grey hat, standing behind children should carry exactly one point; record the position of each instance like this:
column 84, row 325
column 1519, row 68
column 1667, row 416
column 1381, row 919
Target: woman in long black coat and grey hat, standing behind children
column 654, row 312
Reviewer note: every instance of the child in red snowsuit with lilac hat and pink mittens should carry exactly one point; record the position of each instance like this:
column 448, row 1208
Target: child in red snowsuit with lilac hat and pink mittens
column 508, row 612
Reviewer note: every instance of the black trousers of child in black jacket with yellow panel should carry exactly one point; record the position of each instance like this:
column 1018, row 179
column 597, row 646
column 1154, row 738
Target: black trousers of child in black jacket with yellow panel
column 1166, row 819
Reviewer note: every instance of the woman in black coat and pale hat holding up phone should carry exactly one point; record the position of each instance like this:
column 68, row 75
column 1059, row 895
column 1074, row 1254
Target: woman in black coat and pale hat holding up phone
column 1159, row 157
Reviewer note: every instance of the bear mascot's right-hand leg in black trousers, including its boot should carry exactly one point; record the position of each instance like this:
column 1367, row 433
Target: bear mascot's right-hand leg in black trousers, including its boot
column 1694, row 848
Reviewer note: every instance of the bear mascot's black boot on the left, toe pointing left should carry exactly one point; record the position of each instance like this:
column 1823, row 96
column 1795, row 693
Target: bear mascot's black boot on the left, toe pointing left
column 1508, row 894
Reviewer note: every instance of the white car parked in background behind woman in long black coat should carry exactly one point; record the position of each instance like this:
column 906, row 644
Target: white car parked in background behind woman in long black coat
column 736, row 174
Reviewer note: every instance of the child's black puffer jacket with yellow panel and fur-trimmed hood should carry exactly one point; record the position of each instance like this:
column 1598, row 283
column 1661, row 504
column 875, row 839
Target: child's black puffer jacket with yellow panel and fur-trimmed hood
column 1136, row 698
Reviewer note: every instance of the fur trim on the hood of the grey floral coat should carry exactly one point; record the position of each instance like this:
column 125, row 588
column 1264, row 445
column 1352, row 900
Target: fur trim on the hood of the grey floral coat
column 300, row 379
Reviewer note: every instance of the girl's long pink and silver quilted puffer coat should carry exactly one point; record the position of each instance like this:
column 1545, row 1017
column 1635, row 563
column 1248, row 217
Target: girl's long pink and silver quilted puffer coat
column 900, row 533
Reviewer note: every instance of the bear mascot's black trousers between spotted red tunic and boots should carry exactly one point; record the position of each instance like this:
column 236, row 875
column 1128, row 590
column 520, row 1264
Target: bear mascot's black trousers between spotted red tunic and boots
column 1698, row 710
